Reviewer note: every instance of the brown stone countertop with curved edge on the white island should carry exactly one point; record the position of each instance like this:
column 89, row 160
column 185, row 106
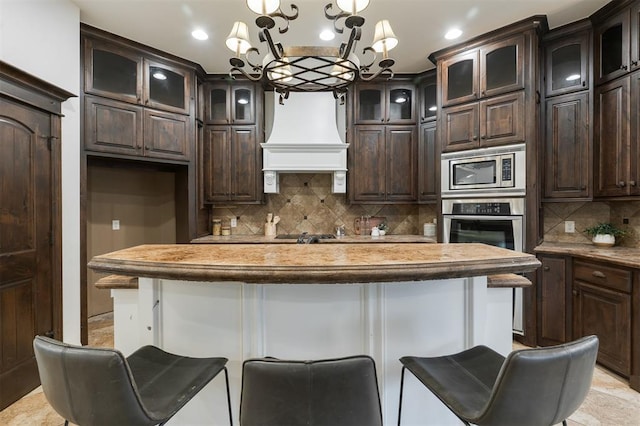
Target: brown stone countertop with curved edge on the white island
column 313, row 263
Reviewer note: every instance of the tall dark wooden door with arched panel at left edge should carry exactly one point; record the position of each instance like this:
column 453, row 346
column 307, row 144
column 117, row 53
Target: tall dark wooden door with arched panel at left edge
column 26, row 244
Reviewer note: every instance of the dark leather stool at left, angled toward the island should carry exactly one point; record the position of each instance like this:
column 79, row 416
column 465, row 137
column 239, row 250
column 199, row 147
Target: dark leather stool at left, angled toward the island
column 99, row 386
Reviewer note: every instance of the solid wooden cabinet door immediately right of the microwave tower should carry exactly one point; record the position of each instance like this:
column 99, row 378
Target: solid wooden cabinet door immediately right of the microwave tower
column 566, row 155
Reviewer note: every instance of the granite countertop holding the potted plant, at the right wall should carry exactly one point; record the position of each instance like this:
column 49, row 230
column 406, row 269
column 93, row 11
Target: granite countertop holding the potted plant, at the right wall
column 622, row 256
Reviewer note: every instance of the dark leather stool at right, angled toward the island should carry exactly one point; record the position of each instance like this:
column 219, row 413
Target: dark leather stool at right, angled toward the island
column 540, row 386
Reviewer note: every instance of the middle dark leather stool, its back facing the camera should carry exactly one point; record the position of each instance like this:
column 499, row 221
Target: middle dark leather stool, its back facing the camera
column 333, row 392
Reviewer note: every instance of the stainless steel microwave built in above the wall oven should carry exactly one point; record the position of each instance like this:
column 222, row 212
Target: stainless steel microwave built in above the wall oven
column 484, row 172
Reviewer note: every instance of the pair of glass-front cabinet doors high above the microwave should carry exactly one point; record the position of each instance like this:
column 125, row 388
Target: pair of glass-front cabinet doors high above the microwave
column 490, row 70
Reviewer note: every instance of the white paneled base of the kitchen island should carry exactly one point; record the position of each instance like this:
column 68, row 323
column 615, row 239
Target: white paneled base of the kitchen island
column 315, row 321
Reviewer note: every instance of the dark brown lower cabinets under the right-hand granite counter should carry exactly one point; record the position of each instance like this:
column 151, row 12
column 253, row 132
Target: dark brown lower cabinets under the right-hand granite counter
column 578, row 297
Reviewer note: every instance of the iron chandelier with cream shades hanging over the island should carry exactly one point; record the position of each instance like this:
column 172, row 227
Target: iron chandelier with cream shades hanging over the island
column 309, row 68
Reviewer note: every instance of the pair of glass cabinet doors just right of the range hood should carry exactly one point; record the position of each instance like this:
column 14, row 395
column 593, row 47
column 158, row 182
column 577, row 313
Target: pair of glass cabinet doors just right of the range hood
column 385, row 103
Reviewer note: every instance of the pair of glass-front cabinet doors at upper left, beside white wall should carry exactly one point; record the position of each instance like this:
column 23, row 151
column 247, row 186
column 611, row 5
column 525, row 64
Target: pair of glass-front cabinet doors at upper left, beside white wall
column 116, row 72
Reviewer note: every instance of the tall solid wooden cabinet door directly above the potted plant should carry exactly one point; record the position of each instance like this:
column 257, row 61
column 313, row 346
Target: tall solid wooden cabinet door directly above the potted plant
column 611, row 139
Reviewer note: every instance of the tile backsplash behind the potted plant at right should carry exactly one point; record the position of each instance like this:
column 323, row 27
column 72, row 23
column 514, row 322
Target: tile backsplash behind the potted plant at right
column 585, row 214
